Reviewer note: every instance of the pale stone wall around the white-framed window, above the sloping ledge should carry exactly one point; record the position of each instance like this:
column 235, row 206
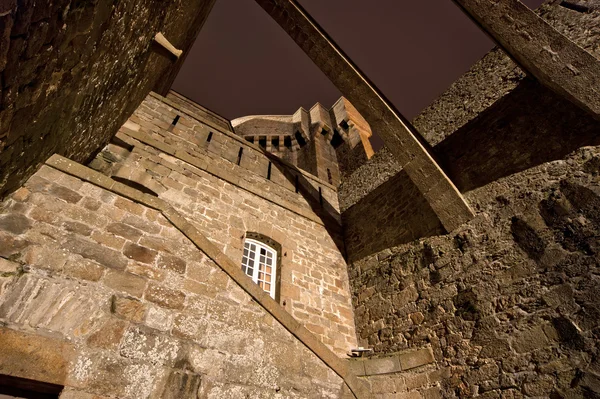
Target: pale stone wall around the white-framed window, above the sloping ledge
column 225, row 201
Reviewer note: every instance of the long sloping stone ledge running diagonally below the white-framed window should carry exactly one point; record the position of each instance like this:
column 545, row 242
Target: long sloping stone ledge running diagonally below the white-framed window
column 339, row 366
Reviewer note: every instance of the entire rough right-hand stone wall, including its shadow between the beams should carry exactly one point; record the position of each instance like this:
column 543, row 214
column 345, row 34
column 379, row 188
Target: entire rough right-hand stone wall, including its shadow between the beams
column 509, row 301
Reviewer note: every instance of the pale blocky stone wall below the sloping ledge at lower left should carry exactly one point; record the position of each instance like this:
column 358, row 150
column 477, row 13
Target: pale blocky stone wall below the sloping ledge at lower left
column 106, row 297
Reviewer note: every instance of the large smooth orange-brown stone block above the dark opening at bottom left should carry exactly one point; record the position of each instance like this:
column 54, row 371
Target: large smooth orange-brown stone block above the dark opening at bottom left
column 34, row 357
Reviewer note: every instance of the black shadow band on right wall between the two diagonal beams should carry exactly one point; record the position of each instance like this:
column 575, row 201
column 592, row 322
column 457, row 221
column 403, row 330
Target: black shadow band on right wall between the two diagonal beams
column 530, row 126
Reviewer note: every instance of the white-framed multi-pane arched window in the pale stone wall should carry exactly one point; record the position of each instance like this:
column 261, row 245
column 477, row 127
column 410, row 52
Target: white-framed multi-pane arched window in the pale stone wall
column 259, row 263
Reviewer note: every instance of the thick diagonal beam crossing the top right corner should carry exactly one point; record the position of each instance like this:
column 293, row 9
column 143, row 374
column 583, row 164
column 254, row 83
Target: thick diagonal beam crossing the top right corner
column 542, row 51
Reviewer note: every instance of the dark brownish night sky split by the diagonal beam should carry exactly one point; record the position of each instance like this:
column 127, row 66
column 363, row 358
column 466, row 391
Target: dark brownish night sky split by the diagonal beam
column 243, row 63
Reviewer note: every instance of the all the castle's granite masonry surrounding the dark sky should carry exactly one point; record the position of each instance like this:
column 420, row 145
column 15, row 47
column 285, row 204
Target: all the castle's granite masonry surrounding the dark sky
column 462, row 260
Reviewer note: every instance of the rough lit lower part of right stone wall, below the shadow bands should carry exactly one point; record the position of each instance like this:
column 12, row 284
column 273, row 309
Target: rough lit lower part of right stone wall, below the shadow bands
column 511, row 301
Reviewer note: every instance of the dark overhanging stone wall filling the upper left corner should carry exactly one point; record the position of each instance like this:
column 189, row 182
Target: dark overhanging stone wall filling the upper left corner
column 64, row 87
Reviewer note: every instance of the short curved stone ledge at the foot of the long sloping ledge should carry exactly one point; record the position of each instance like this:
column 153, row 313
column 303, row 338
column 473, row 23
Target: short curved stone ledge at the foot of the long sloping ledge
column 392, row 364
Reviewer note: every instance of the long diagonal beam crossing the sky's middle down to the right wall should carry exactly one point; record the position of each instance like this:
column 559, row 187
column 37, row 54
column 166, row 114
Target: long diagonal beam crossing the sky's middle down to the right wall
column 397, row 133
